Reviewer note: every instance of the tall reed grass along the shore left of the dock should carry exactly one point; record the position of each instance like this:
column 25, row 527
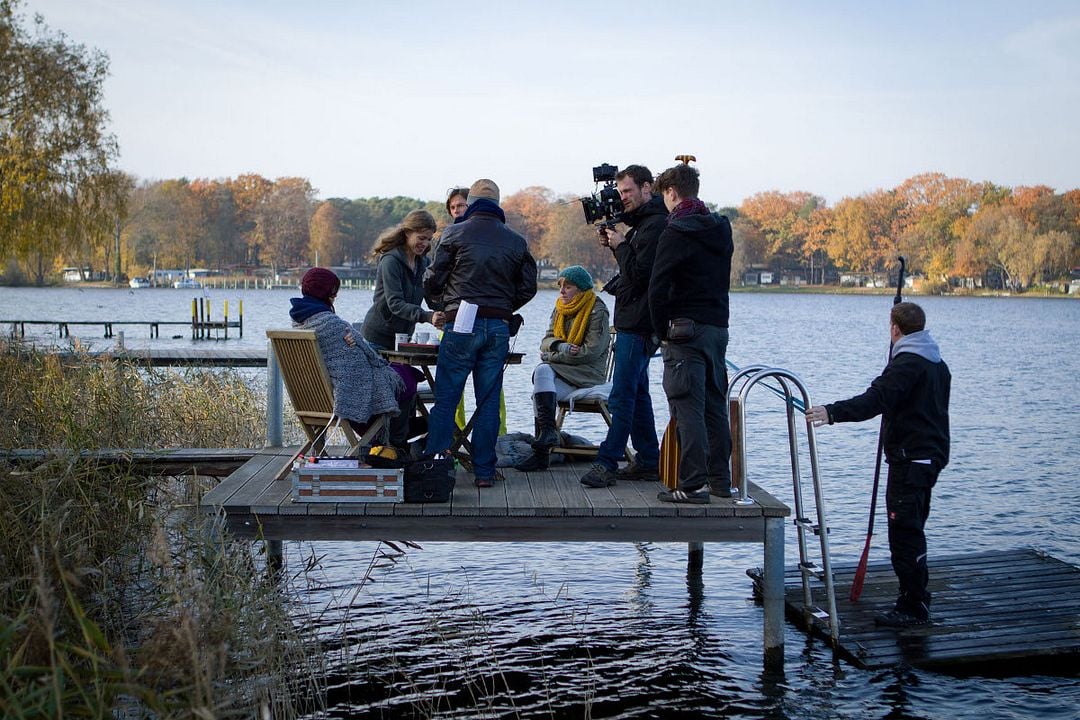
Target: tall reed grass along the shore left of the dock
column 117, row 599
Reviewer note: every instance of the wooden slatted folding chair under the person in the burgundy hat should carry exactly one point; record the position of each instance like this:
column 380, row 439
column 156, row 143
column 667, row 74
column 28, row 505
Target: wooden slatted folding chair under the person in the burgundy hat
column 312, row 392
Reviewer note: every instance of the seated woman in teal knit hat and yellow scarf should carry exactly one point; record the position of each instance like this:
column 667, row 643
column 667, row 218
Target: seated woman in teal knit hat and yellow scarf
column 574, row 355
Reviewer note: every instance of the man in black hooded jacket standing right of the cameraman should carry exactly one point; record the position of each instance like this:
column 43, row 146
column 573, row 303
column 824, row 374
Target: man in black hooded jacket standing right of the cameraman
column 688, row 303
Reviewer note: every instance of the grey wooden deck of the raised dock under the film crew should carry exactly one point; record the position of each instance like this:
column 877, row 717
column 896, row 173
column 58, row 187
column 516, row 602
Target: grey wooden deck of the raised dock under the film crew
column 547, row 506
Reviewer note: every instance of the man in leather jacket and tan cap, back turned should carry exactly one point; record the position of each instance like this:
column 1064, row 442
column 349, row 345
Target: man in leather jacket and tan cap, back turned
column 487, row 264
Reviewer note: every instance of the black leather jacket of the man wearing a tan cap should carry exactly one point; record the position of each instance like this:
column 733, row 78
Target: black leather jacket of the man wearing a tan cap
column 483, row 262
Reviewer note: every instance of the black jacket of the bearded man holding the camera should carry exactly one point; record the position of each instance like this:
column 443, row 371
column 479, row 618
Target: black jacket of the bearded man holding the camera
column 631, row 287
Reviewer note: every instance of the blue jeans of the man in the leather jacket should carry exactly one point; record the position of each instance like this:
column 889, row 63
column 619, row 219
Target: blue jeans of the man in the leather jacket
column 483, row 354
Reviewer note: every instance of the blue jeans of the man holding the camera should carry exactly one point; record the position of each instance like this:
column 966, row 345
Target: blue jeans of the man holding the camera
column 631, row 405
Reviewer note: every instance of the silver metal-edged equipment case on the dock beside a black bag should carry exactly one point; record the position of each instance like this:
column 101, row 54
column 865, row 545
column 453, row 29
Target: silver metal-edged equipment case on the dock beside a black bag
column 345, row 481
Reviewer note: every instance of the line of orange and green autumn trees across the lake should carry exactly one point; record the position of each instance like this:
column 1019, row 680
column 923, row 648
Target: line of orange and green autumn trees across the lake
column 948, row 228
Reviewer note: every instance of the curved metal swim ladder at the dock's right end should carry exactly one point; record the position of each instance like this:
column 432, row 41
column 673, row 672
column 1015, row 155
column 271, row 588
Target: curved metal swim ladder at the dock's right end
column 746, row 381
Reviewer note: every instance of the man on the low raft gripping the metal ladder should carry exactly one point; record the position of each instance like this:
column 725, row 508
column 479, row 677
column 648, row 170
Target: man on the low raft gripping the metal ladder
column 912, row 396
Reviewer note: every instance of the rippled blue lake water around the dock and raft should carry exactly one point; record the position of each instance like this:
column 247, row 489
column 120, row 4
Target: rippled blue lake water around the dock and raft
column 620, row 630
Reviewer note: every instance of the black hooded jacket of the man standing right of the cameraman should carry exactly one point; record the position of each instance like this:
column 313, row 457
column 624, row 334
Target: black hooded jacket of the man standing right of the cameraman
column 692, row 273
